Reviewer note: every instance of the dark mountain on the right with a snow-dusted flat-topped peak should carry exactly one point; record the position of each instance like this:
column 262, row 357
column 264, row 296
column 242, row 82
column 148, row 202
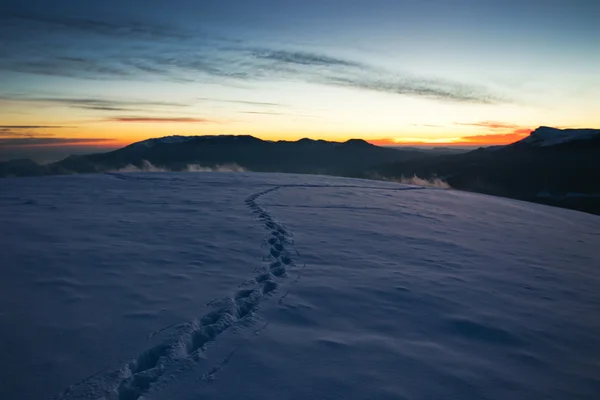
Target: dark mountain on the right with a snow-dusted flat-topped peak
column 552, row 166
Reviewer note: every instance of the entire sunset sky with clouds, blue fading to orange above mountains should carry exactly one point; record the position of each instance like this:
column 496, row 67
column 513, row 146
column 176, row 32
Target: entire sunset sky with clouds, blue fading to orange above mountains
column 83, row 74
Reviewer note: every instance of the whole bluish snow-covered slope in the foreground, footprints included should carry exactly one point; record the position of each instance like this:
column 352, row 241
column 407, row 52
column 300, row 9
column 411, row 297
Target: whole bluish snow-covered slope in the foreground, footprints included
column 271, row 286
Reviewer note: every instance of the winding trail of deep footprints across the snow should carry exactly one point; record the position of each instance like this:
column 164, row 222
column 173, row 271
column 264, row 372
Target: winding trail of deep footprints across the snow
column 138, row 376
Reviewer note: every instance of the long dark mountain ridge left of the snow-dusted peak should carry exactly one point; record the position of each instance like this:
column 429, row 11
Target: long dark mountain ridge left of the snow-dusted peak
column 176, row 153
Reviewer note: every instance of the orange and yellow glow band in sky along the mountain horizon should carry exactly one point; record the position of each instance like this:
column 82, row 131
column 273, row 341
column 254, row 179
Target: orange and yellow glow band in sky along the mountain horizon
column 123, row 131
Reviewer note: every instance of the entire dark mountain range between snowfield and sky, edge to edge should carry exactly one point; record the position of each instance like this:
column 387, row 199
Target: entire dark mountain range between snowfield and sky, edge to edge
column 552, row 166
